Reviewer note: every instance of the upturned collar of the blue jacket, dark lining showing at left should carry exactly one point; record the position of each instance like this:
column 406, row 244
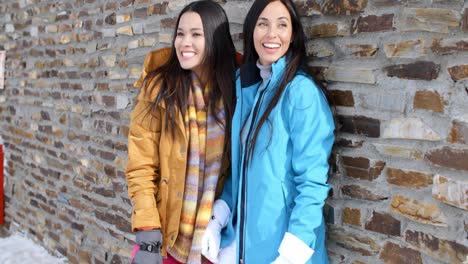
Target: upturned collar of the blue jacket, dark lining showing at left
column 250, row 73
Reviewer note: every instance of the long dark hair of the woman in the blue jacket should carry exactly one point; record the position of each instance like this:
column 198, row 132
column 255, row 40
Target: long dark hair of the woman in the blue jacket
column 296, row 57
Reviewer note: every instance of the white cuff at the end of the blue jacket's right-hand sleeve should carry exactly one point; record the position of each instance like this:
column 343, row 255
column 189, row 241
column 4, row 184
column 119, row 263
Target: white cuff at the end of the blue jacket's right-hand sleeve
column 294, row 249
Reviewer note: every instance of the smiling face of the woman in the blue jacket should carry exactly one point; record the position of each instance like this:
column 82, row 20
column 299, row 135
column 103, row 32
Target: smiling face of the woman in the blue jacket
column 272, row 33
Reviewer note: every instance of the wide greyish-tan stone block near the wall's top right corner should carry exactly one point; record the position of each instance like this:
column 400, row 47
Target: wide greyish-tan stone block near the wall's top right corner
column 436, row 20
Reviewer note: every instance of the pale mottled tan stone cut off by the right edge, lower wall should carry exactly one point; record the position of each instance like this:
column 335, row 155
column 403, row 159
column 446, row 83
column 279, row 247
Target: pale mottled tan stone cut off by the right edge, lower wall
column 451, row 191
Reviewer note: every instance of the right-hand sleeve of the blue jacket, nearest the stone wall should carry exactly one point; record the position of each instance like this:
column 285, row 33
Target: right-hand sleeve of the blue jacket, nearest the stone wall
column 311, row 132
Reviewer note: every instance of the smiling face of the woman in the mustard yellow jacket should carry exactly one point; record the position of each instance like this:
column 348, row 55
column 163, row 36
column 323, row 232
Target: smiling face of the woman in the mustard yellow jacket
column 189, row 42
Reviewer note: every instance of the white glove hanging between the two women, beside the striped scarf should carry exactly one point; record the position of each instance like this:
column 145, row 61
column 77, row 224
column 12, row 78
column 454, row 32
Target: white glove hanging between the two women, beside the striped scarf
column 212, row 237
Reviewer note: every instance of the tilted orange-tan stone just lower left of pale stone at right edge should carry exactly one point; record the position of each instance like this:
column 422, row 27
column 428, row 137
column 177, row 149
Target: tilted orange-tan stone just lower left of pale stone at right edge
column 418, row 211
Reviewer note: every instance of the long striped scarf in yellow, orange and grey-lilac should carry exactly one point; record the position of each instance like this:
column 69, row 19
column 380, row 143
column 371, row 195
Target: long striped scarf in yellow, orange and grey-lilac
column 206, row 144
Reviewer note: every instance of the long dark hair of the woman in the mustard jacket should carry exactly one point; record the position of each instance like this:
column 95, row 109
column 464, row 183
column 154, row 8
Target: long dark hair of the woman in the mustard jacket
column 218, row 65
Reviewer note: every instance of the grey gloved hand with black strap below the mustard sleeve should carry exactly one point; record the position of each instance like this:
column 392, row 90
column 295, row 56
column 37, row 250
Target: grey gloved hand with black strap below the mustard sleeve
column 150, row 242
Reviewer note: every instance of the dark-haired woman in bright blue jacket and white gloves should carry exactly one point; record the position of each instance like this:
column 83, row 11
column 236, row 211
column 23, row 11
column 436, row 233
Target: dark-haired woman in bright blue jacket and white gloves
column 282, row 135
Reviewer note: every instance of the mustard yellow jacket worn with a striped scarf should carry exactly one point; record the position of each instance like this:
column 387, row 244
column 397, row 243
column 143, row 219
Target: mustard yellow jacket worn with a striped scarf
column 156, row 166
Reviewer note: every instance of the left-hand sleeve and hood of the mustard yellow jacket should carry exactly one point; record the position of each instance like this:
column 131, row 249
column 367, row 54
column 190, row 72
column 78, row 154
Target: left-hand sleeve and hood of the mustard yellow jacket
column 143, row 165
